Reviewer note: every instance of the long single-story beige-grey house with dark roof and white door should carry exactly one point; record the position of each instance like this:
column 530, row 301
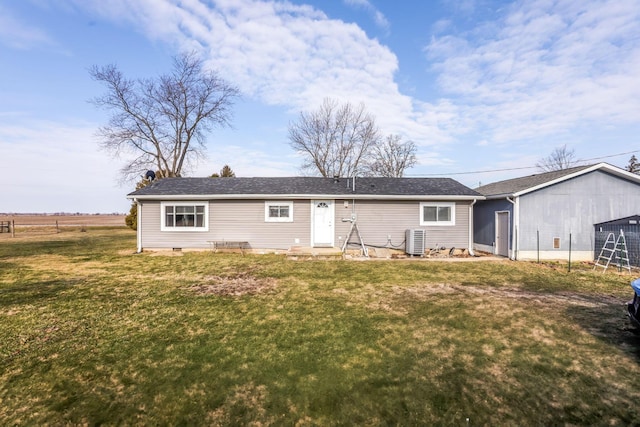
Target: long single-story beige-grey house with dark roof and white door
column 279, row 213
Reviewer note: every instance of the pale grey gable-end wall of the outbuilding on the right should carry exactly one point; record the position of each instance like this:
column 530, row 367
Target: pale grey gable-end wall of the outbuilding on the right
column 574, row 206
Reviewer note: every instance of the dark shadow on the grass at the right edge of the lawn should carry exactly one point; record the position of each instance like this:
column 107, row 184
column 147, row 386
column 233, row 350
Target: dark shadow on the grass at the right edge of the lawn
column 606, row 319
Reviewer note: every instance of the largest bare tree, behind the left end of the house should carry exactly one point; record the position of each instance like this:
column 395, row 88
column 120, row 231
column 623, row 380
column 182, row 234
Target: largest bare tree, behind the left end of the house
column 160, row 123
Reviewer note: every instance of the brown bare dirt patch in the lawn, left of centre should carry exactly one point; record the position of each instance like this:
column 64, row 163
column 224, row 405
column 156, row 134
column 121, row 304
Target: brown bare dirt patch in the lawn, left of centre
column 239, row 285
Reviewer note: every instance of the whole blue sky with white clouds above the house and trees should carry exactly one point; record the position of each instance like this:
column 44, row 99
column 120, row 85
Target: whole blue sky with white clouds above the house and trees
column 478, row 85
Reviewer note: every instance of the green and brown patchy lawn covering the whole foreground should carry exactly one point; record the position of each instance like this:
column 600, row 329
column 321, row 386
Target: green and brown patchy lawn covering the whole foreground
column 91, row 333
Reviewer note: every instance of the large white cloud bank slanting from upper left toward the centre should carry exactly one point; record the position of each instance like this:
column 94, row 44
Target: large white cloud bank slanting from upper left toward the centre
column 288, row 55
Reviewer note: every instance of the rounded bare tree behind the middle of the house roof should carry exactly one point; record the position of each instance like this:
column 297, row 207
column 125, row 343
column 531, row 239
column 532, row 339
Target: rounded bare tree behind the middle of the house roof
column 334, row 140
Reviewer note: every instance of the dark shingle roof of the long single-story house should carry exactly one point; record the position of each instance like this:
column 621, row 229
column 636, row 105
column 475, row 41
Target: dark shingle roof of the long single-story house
column 300, row 186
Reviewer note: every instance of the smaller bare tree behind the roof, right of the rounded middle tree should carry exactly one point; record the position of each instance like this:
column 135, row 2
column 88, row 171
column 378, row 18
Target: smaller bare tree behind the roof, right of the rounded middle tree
column 392, row 157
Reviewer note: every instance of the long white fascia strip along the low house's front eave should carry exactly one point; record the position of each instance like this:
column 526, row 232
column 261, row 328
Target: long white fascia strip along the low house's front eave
column 301, row 197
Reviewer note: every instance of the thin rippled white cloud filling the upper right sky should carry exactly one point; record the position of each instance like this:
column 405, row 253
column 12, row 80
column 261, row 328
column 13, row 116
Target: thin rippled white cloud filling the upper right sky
column 544, row 68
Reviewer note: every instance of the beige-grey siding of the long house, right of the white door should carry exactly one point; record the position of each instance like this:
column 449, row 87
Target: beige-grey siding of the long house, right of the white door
column 379, row 219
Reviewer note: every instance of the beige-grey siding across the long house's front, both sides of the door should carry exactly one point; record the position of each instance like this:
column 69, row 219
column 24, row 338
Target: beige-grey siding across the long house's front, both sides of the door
column 243, row 220
